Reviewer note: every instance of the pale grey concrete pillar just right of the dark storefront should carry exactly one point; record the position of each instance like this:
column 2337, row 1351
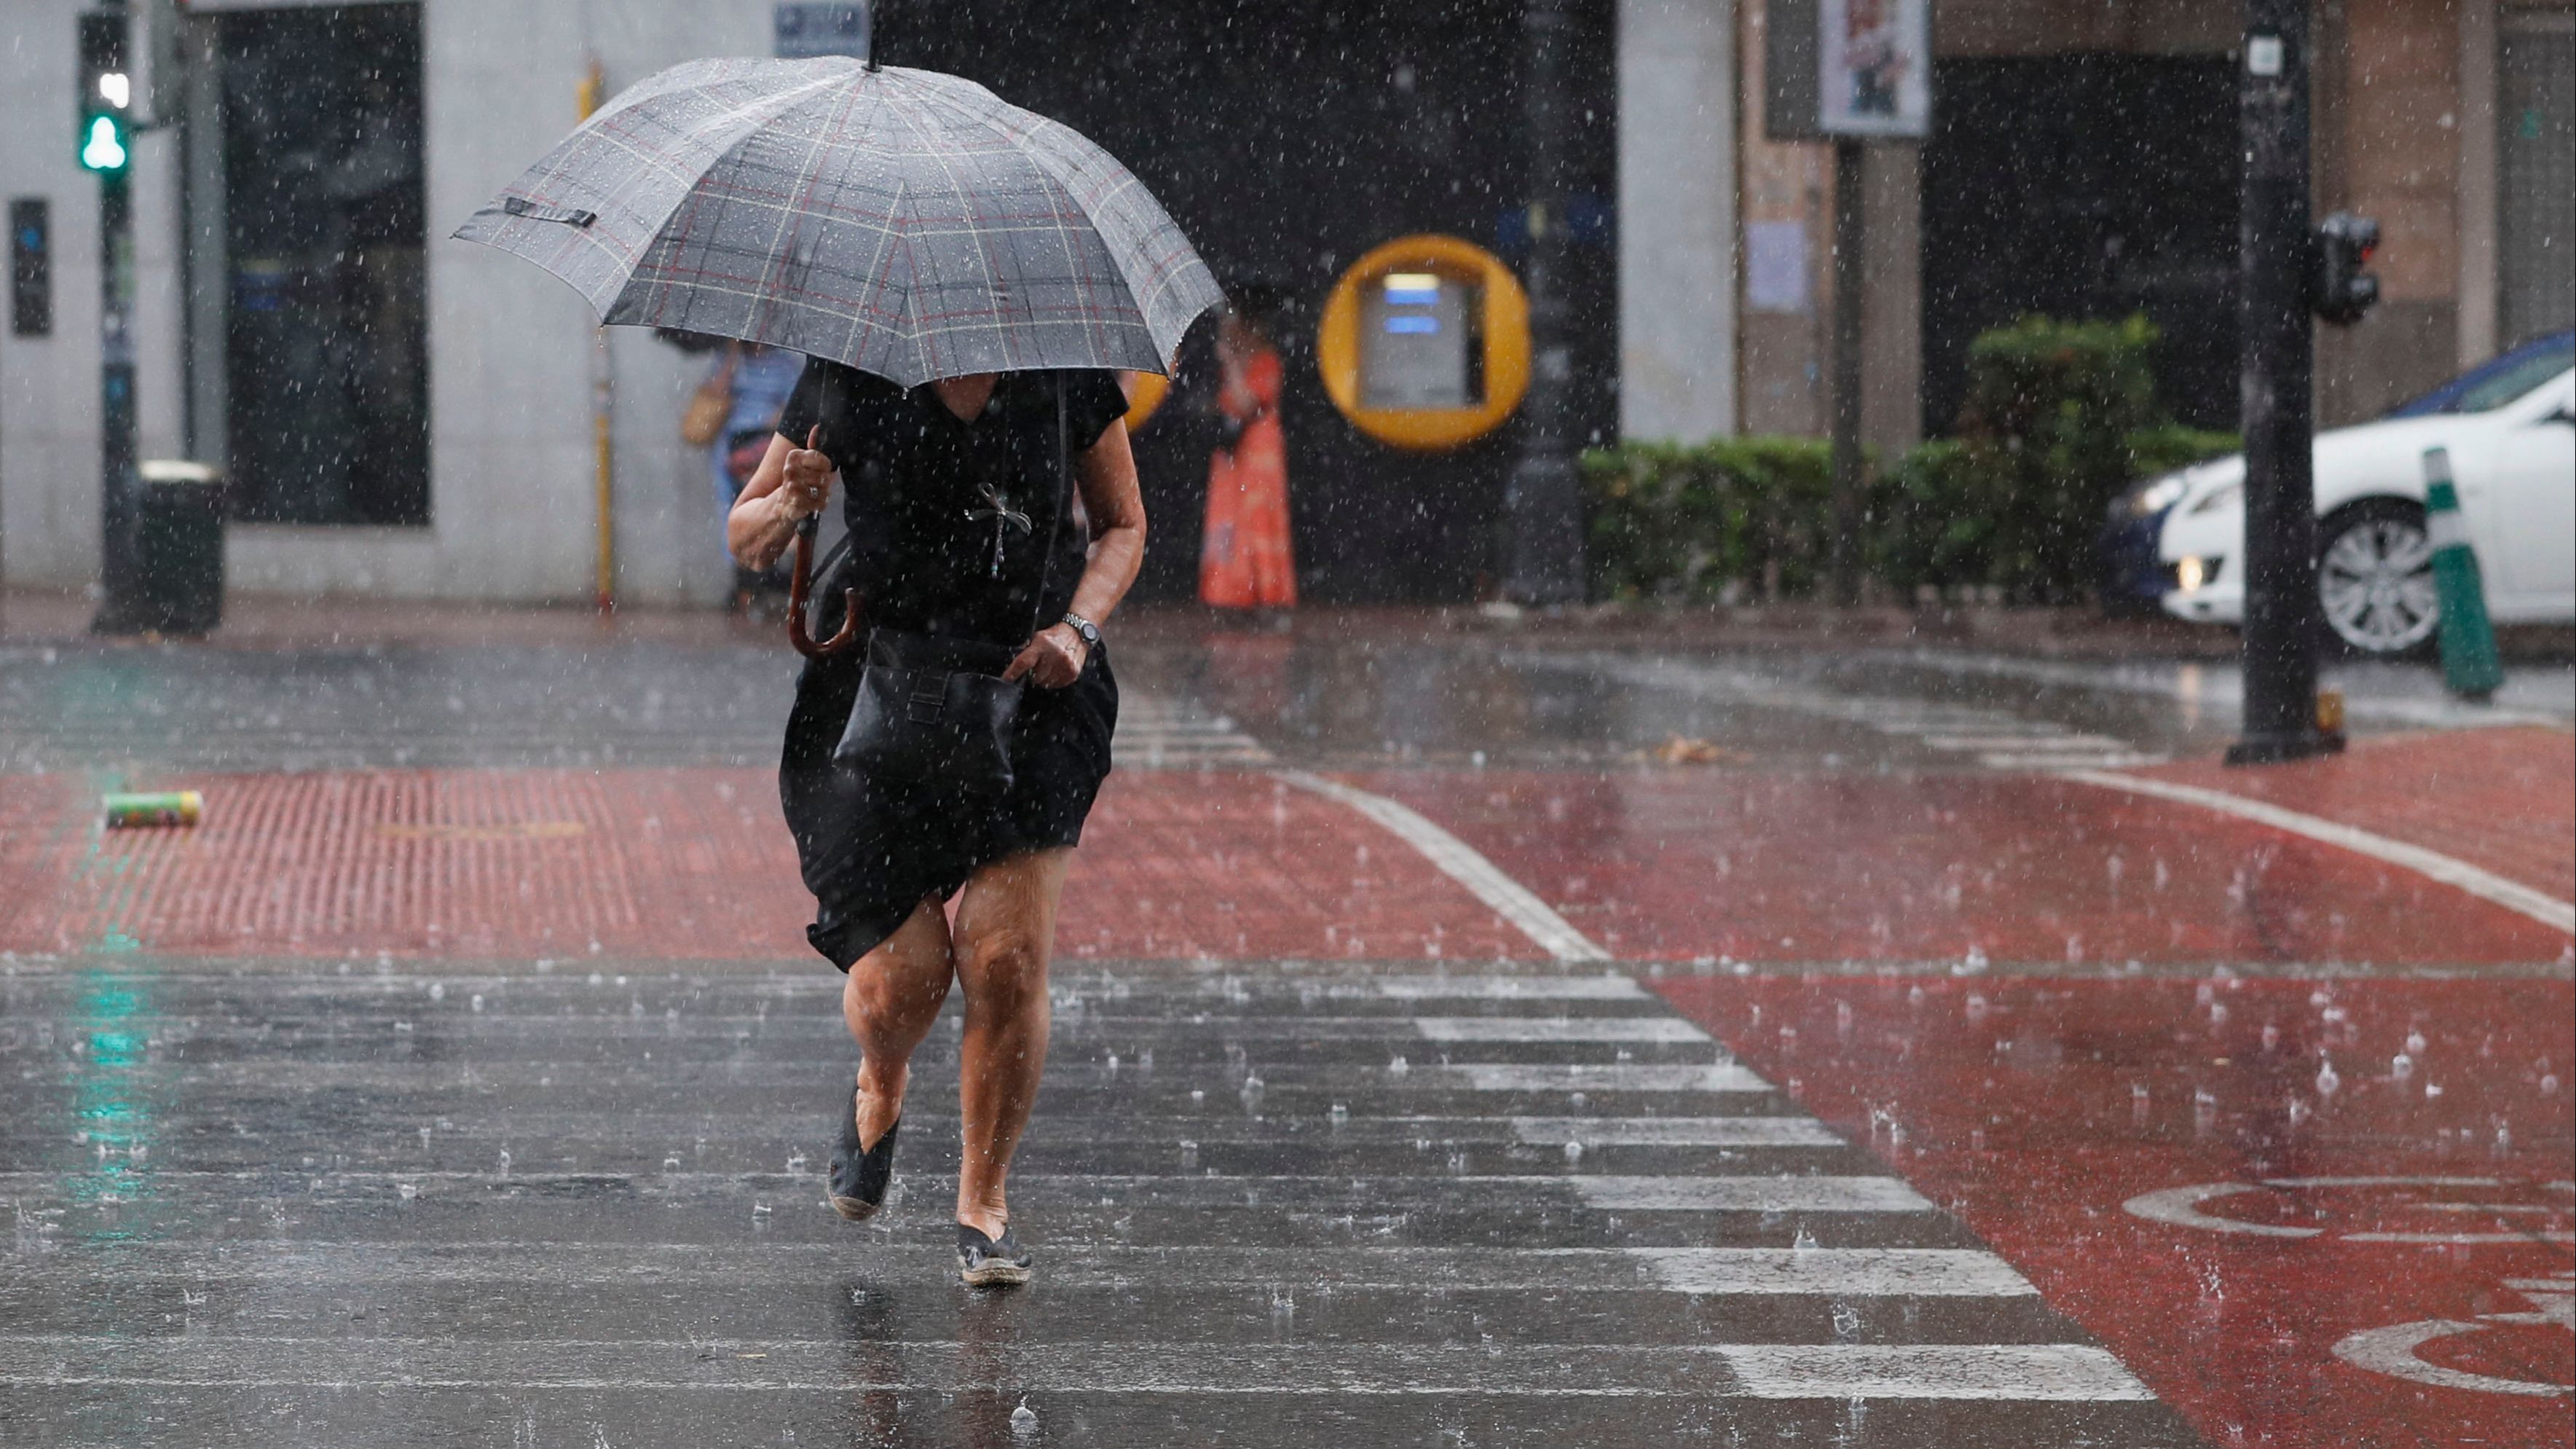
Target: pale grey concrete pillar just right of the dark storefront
column 1678, row 218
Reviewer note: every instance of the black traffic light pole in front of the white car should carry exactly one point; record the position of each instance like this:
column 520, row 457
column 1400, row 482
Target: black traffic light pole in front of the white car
column 2278, row 391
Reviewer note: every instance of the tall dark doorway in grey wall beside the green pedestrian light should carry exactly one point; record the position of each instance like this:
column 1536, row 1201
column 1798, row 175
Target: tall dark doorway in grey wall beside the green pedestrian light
column 323, row 282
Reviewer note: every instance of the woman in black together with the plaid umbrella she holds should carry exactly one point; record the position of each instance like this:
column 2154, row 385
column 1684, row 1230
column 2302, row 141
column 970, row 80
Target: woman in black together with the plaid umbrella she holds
column 967, row 282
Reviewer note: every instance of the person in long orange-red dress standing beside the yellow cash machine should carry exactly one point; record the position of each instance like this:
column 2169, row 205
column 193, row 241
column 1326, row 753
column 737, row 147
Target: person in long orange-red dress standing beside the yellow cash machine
column 1245, row 558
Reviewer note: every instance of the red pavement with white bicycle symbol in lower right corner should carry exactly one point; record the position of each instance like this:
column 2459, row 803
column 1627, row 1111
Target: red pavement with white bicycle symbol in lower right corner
column 2041, row 1107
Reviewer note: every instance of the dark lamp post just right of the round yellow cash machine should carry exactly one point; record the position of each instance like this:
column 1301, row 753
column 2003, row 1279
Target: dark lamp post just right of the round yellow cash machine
column 1544, row 499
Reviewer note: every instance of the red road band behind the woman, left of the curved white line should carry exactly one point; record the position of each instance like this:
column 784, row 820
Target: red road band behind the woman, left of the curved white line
column 679, row 862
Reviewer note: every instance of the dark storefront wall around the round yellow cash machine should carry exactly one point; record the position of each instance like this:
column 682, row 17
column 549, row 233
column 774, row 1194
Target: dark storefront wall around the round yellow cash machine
column 1287, row 146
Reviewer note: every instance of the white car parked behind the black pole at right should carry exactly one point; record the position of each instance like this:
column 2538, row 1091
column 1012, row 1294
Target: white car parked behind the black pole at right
column 2515, row 465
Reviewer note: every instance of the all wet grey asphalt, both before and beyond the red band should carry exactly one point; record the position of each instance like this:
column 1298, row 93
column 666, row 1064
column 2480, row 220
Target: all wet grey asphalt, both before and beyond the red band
column 581, row 1203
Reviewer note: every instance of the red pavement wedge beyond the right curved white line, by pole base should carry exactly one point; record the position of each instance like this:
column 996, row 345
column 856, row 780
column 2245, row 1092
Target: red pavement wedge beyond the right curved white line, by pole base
column 2503, row 801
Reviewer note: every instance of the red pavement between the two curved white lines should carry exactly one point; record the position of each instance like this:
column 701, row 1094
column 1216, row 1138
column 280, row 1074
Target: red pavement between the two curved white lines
column 1766, row 868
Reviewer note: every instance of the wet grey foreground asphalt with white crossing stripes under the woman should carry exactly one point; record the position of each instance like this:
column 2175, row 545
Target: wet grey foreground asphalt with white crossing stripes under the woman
column 264, row 1203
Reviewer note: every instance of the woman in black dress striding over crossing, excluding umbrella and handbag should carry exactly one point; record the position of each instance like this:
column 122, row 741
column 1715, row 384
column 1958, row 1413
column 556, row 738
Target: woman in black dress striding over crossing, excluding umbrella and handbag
column 952, row 494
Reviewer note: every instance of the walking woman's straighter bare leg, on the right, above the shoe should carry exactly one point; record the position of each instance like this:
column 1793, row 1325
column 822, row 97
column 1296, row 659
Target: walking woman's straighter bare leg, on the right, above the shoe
column 1003, row 940
